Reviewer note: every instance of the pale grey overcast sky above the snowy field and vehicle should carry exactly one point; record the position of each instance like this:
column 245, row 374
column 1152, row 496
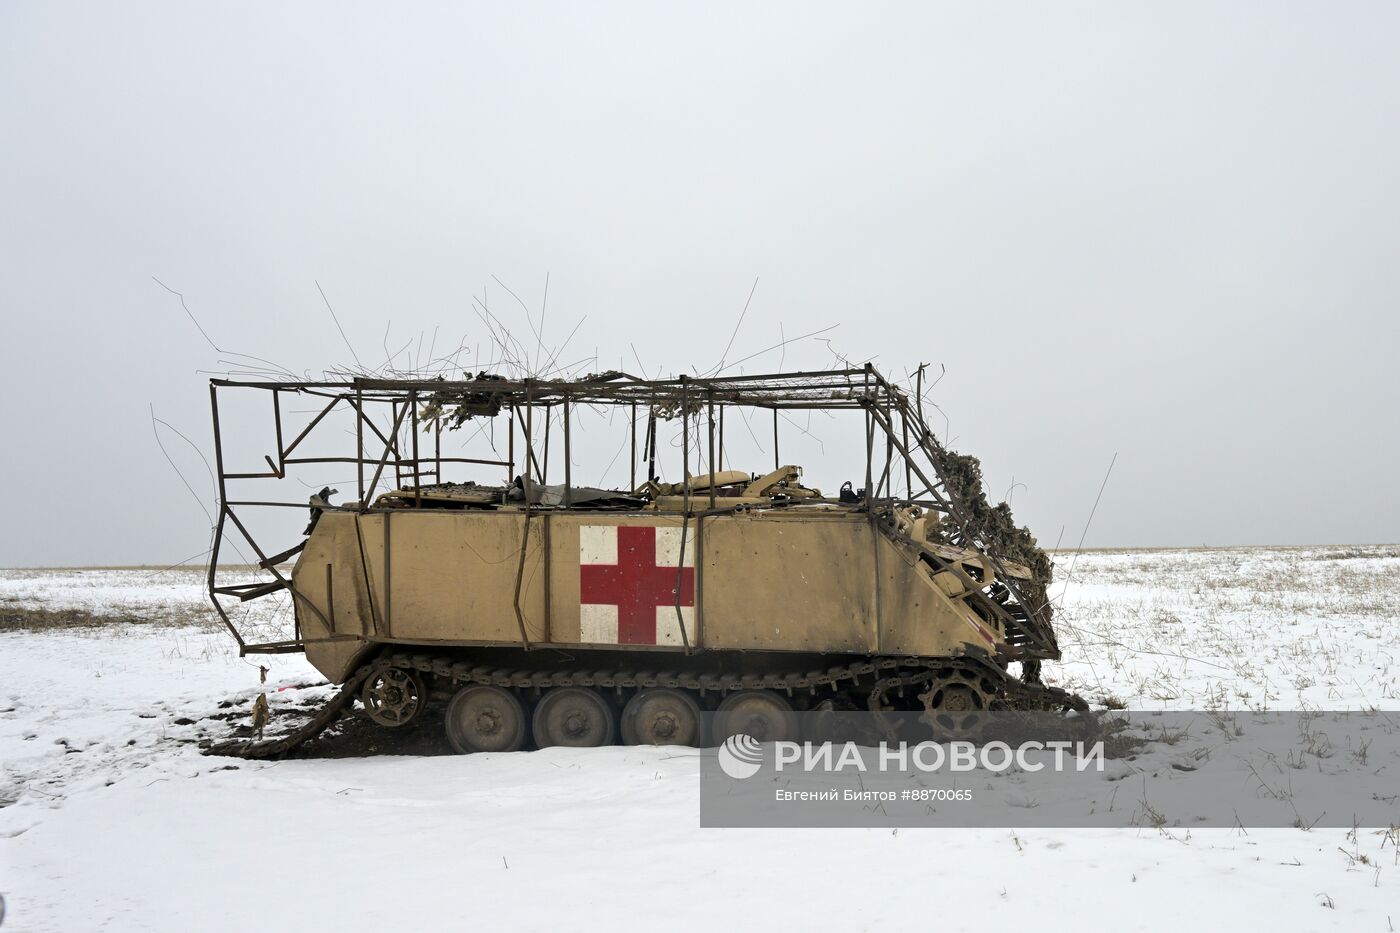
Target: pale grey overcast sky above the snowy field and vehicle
column 1161, row 230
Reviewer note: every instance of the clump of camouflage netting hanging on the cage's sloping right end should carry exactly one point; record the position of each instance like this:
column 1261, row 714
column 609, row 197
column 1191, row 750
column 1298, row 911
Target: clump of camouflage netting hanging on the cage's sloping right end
column 993, row 525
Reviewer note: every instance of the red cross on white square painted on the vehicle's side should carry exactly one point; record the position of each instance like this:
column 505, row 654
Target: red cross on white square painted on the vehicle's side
column 628, row 582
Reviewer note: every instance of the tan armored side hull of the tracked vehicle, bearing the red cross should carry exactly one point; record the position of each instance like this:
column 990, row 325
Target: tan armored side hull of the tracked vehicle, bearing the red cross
column 806, row 581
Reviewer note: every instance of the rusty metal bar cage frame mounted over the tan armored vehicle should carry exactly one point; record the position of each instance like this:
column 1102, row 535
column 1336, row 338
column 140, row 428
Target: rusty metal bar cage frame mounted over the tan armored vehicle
column 894, row 421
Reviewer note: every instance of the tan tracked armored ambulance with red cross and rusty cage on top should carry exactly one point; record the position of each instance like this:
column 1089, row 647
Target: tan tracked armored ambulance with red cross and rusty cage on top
column 528, row 613
